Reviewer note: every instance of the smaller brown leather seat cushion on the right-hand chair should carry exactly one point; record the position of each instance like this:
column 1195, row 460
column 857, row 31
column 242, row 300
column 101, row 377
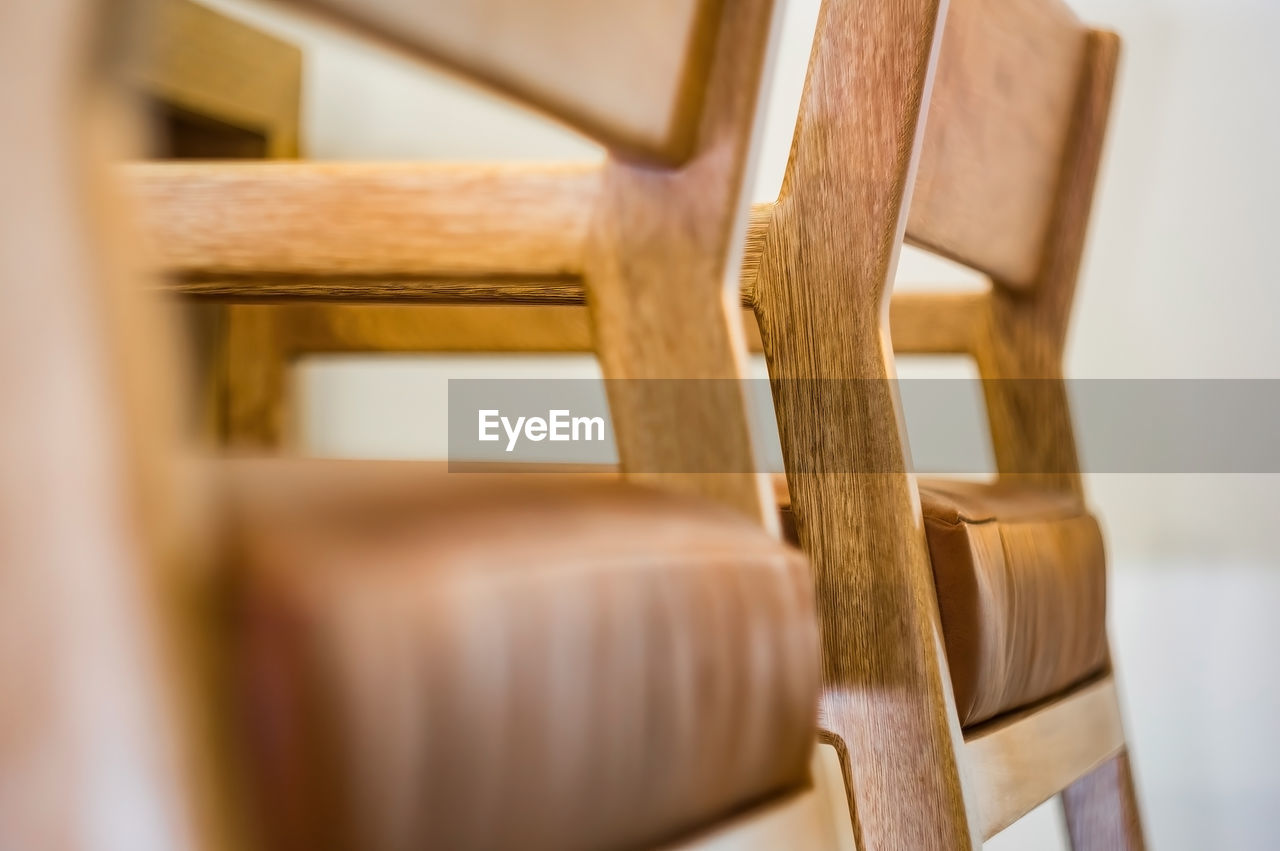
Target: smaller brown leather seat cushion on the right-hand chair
column 1022, row 592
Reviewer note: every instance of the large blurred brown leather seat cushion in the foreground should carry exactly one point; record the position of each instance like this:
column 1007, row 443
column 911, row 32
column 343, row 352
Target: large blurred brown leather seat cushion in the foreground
column 499, row 662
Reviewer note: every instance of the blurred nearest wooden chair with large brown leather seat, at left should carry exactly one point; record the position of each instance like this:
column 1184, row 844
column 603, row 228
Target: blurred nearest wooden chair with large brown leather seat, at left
column 327, row 656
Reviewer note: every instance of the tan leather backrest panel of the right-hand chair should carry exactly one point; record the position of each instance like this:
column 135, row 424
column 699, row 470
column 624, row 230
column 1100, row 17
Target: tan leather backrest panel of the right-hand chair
column 996, row 135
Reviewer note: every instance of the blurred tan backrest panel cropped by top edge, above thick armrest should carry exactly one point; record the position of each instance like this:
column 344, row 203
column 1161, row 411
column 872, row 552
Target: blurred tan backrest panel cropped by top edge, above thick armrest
column 572, row 58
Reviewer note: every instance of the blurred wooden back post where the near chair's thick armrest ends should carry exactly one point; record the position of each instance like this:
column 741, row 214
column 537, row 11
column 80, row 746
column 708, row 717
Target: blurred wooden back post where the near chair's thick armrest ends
column 662, row 286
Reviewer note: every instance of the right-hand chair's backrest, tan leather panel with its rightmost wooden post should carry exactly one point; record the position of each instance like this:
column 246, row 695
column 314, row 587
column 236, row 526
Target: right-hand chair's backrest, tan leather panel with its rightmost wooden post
column 1011, row 158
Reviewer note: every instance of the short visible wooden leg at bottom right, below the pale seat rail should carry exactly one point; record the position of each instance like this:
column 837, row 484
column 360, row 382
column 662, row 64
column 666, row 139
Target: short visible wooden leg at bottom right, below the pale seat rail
column 1103, row 809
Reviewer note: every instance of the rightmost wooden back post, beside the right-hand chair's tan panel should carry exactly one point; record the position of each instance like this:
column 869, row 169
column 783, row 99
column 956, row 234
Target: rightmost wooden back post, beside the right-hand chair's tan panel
column 1022, row 347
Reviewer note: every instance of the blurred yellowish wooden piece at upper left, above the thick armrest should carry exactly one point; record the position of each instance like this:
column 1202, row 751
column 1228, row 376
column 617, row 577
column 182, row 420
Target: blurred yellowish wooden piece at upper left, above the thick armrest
column 220, row 68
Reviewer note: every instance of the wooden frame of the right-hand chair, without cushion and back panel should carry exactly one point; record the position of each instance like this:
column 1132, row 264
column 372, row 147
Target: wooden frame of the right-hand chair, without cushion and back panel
column 915, row 777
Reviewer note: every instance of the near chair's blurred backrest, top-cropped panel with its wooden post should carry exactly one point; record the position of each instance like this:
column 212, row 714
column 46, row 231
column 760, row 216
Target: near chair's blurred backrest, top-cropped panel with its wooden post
column 673, row 90
